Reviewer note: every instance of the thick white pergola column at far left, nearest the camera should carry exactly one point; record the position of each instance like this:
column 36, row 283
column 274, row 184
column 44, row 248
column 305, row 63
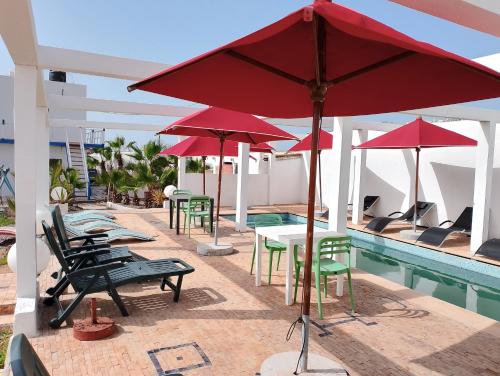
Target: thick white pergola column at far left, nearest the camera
column 25, row 162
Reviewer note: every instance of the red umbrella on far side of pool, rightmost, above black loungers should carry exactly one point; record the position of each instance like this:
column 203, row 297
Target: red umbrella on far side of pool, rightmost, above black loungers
column 417, row 135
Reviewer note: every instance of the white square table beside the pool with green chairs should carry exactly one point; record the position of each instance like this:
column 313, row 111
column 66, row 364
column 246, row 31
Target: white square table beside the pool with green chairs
column 290, row 235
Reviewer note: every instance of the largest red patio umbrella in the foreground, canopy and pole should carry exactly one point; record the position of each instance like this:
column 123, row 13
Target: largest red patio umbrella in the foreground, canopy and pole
column 324, row 60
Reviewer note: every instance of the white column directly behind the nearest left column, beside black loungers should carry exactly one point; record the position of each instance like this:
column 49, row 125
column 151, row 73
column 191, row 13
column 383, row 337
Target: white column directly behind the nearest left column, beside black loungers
column 42, row 168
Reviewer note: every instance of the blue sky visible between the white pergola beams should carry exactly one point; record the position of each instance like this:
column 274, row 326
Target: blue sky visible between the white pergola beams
column 175, row 30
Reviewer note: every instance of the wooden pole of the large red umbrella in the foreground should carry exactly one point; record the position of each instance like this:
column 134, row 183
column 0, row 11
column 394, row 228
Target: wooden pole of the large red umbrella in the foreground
column 318, row 93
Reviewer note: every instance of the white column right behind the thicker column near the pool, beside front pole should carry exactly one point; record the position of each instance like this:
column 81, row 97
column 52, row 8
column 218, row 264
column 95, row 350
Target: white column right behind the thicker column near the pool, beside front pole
column 359, row 176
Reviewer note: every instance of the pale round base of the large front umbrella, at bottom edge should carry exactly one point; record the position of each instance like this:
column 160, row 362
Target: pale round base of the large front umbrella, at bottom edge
column 284, row 364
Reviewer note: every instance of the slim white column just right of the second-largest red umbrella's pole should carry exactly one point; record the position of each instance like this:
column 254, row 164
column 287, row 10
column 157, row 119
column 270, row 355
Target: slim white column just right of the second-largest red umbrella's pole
column 242, row 186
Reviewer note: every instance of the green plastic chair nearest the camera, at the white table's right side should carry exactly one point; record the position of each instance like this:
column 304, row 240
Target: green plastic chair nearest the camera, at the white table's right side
column 324, row 265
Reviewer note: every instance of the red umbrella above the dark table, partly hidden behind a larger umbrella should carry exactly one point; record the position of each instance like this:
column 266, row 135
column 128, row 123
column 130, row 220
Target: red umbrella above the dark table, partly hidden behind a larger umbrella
column 204, row 146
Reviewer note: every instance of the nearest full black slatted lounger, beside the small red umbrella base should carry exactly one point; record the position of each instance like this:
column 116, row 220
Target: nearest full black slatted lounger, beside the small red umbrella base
column 107, row 277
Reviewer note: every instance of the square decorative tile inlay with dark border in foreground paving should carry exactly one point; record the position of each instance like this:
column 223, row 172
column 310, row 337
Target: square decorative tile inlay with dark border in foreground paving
column 179, row 358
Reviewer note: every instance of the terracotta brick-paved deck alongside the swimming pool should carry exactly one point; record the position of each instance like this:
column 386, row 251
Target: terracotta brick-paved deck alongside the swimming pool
column 236, row 325
